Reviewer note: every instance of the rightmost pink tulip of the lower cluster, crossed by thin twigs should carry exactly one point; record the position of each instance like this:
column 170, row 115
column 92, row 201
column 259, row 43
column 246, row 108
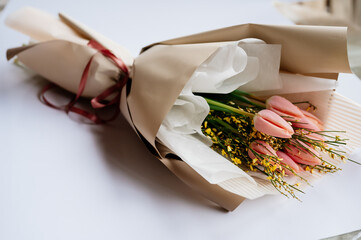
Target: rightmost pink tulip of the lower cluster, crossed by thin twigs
column 302, row 153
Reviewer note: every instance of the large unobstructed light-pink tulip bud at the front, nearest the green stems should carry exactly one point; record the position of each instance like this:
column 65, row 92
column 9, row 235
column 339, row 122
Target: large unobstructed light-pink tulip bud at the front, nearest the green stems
column 270, row 123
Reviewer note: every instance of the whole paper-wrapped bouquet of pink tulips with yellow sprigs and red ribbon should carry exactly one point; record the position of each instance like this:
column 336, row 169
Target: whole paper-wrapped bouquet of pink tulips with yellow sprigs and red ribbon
column 227, row 111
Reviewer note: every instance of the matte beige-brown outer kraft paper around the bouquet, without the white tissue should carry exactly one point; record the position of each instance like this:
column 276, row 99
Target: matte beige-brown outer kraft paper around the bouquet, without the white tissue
column 160, row 72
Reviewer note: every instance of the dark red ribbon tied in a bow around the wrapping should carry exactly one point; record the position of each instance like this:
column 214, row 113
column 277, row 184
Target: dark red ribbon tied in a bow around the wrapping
column 98, row 101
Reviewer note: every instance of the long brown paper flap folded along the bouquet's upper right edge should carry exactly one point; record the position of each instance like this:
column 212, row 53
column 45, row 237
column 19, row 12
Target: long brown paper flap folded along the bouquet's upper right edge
column 336, row 38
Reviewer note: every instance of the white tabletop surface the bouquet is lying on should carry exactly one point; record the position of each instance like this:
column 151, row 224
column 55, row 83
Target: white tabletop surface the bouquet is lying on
column 61, row 179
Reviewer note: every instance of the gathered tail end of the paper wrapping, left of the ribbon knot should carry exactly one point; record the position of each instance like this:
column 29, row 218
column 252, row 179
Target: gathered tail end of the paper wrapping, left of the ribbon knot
column 62, row 47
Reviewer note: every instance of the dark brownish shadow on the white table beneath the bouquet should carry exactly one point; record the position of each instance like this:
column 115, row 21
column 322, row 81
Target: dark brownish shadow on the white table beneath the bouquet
column 127, row 155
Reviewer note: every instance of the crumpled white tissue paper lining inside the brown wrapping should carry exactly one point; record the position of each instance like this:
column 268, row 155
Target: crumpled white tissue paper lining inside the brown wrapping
column 233, row 65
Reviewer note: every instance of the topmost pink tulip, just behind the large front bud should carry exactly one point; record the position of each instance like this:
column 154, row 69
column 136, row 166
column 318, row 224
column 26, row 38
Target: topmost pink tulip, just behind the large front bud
column 284, row 108
